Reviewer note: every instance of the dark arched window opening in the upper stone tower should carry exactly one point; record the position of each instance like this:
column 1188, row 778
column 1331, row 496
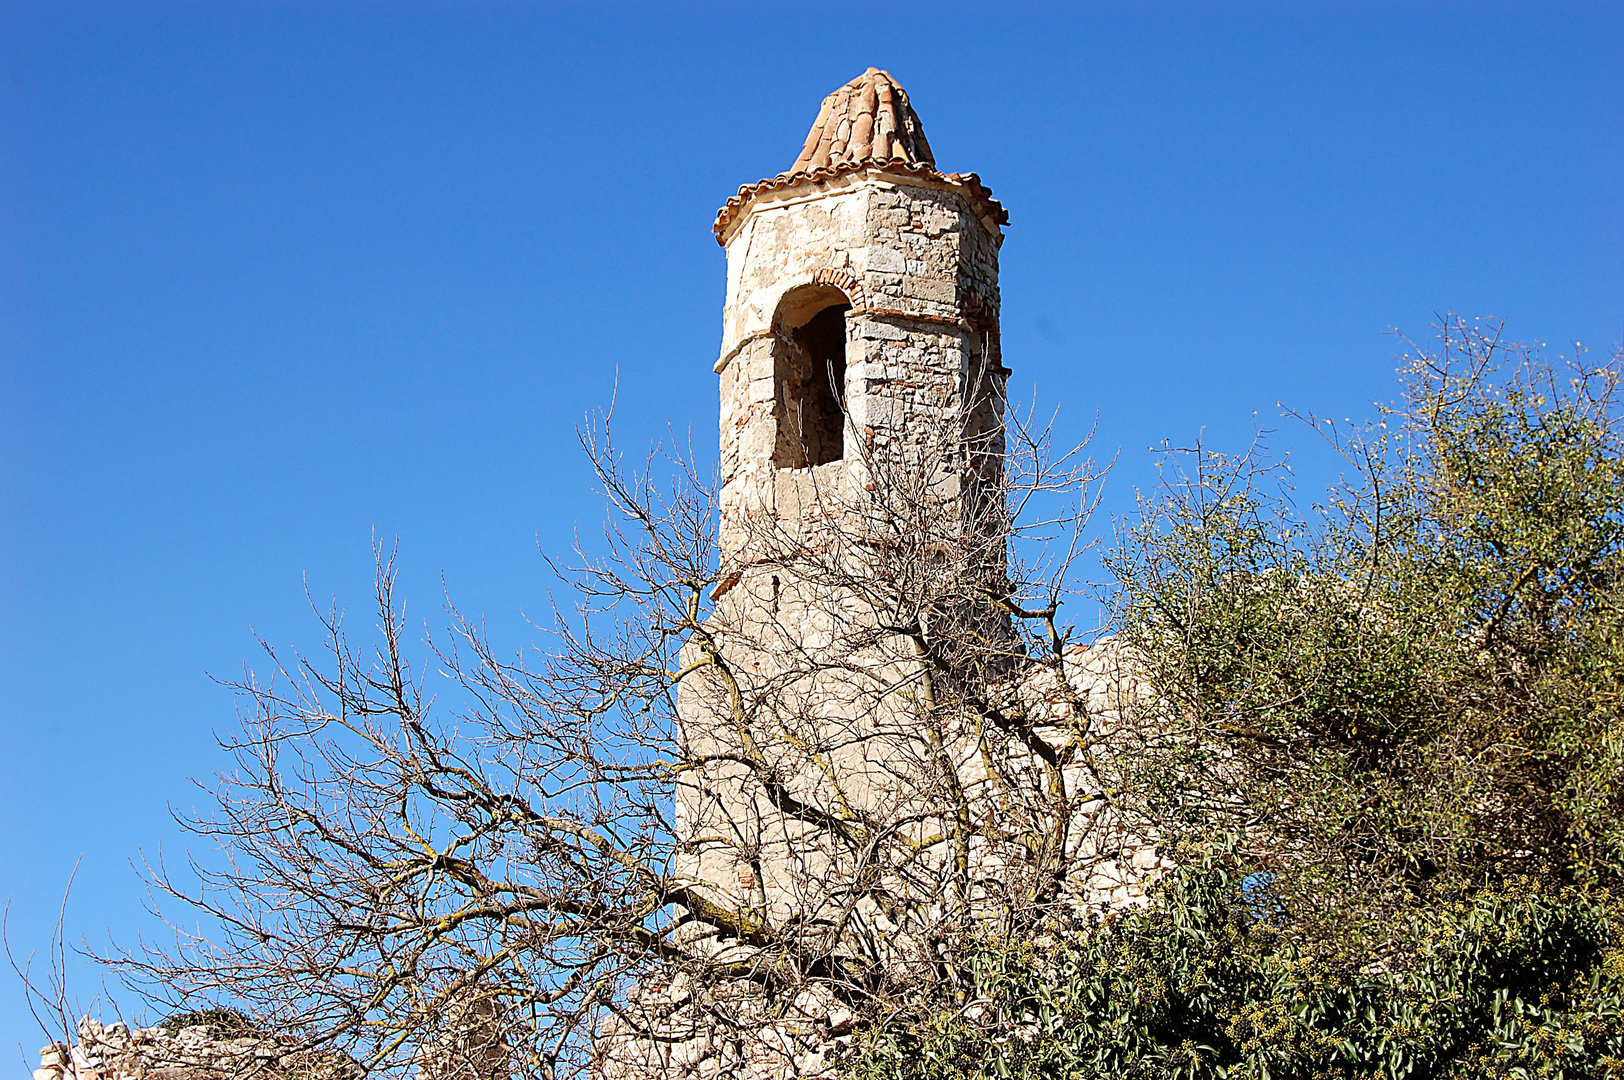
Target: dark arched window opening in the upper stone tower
column 810, row 374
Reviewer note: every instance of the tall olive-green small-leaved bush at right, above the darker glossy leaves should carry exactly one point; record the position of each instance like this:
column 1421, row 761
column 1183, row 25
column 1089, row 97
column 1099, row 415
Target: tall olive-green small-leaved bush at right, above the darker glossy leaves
column 1415, row 683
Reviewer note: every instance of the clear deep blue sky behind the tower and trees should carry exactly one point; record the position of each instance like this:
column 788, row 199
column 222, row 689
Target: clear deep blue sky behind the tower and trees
column 279, row 279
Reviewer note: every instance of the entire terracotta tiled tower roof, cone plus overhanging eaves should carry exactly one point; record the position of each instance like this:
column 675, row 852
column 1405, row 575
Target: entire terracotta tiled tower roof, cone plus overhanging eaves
column 866, row 124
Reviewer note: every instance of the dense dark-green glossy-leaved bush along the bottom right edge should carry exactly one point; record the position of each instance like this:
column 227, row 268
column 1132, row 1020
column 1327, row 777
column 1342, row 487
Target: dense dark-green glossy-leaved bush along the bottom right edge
column 1514, row 982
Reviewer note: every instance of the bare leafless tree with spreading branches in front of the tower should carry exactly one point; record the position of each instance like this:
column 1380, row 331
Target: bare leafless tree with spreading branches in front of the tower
column 756, row 784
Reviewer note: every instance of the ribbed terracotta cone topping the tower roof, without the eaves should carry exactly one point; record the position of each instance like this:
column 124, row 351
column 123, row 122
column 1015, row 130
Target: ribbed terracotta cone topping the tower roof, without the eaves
column 868, row 121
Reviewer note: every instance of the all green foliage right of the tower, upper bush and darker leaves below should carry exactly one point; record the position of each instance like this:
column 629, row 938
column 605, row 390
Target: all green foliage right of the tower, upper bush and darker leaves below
column 1384, row 741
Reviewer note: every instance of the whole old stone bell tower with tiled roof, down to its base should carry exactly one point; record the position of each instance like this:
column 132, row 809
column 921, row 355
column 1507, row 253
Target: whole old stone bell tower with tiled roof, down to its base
column 860, row 382
